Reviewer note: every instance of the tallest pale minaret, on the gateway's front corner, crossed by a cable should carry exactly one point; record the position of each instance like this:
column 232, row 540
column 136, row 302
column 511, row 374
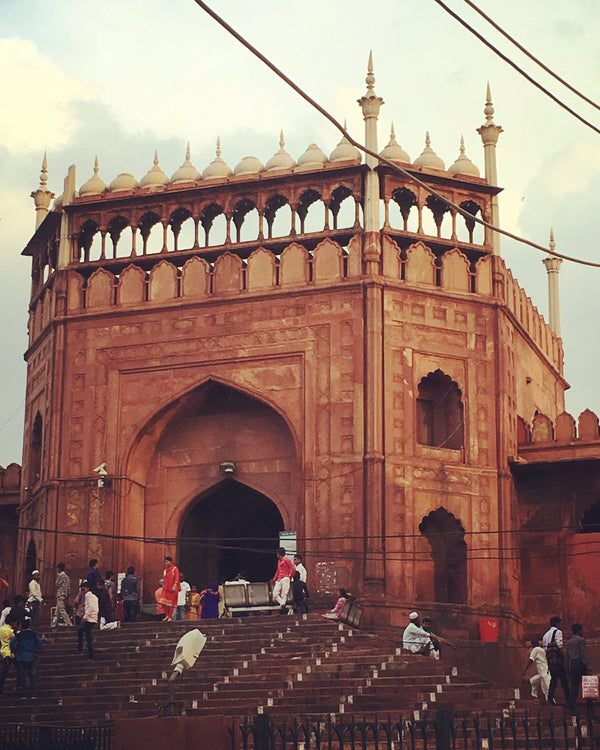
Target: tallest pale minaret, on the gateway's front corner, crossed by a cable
column 370, row 104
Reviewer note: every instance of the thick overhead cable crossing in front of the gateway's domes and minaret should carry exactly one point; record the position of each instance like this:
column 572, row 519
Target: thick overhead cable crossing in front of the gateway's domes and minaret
column 381, row 159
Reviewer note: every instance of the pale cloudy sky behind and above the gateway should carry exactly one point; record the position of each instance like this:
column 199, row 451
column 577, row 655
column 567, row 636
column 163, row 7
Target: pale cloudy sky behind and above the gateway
column 119, row 79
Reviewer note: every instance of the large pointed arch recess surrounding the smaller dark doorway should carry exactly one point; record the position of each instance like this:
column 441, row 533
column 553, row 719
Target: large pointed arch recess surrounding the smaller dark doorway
column 177, row 460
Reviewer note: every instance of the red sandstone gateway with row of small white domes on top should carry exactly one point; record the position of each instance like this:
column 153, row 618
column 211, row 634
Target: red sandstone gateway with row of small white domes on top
column 254, row 351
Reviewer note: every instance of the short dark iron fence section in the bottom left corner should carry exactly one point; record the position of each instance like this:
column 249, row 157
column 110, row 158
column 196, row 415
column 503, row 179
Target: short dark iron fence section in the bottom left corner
column 33, row 737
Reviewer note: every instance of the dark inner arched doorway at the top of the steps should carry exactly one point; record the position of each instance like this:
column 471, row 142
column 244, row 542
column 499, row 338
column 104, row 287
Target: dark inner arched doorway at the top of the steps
column 231, row 528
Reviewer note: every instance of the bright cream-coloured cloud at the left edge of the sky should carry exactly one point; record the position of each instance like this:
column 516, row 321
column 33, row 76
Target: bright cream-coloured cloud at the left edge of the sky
column 40, row 114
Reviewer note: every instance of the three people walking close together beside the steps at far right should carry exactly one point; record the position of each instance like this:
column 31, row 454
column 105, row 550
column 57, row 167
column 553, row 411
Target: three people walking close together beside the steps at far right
column 557, row 662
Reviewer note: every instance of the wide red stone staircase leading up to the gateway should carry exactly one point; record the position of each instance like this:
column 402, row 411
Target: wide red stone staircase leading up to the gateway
column 262, row 664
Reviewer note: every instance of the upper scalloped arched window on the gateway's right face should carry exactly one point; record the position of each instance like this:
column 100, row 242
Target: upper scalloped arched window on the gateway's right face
column 440, row 414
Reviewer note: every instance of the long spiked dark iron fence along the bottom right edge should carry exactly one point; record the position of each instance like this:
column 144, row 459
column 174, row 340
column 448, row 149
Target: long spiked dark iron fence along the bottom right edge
column 444, row 731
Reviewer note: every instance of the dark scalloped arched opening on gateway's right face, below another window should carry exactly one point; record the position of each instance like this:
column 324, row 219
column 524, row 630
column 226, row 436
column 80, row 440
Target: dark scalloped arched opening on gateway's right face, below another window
column 446, row 536
